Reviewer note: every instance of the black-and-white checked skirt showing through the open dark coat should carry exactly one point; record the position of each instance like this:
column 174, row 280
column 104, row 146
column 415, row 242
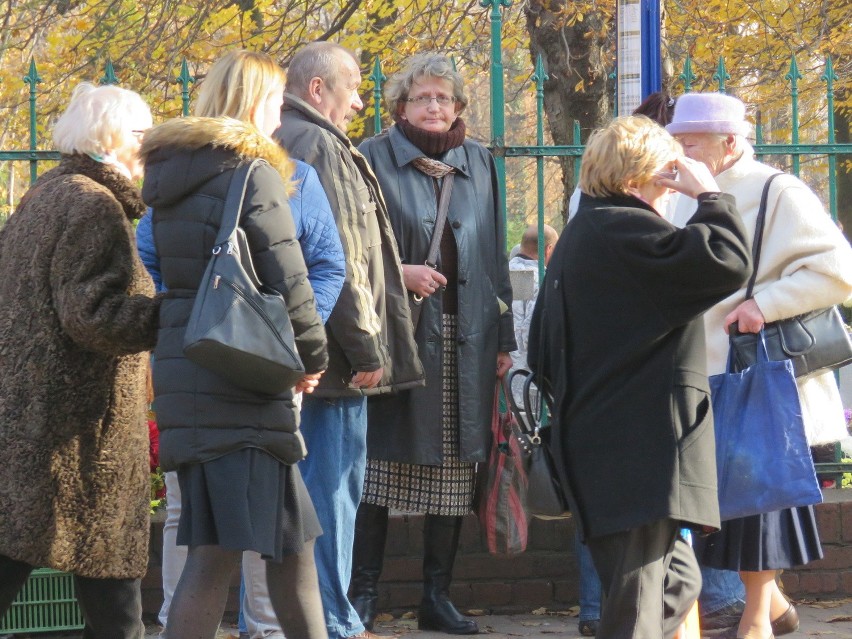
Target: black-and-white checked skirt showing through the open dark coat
column 436, row 490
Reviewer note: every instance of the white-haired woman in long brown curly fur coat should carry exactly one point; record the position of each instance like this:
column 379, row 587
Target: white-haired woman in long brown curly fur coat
column 76, row 314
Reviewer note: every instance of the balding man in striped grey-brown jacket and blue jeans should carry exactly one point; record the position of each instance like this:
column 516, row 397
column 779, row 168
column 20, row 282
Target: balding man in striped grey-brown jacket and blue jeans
column 370, row 336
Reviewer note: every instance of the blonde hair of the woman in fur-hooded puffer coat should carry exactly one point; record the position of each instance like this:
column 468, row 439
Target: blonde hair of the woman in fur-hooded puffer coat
column 236, row 84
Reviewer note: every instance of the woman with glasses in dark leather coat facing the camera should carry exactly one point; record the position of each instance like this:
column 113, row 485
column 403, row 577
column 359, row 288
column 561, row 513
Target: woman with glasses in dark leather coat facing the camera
column 423, row 444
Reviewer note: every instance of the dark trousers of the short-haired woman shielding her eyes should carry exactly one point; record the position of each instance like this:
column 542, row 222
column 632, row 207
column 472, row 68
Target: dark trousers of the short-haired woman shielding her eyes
column 650, row 580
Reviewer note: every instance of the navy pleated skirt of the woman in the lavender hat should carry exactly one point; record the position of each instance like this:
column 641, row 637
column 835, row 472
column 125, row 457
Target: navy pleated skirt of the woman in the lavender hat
column 772, row 541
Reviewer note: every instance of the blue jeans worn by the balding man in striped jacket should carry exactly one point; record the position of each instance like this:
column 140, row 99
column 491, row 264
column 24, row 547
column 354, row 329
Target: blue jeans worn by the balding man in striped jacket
column 335, row 432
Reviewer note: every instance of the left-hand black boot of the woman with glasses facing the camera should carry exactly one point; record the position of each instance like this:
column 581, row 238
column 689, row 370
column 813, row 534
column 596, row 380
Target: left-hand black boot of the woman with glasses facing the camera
column 368, row 551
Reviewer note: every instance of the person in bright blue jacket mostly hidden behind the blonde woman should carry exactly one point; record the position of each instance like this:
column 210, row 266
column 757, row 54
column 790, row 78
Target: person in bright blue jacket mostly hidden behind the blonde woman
column 323, row 254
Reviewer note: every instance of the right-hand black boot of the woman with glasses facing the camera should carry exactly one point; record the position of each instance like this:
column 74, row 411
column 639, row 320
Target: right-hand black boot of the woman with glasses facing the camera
column 437, row 612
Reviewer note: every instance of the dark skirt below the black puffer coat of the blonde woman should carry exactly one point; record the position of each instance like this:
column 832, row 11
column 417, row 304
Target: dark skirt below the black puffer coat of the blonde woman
column 246, row 500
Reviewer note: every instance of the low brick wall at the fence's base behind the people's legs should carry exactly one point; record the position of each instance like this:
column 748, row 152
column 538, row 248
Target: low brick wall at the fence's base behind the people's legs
column 546, row 574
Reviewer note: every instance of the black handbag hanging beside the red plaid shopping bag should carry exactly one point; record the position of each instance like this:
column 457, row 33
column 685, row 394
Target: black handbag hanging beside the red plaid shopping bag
column 545, row 497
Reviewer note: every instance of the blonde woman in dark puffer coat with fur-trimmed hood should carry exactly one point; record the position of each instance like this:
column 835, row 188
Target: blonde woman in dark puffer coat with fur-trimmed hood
column 227, row 443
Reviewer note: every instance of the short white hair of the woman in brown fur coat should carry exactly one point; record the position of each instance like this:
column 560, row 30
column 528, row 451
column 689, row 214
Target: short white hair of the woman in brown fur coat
column 100, row 119
